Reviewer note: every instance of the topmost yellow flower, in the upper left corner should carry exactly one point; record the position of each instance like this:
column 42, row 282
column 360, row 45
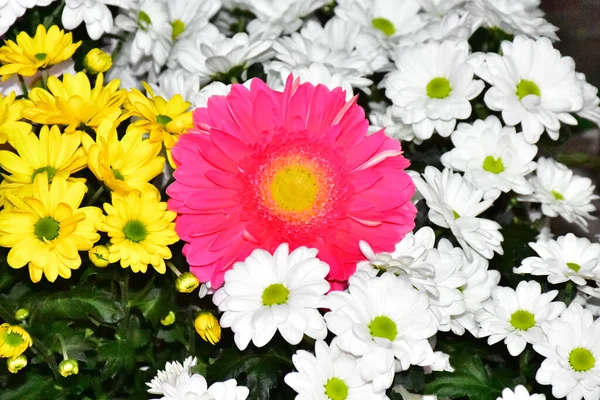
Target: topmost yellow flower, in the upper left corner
column 29, row 54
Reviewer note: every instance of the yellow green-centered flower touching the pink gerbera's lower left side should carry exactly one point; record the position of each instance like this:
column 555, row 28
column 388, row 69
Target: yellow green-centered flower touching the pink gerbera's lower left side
column 140, row 228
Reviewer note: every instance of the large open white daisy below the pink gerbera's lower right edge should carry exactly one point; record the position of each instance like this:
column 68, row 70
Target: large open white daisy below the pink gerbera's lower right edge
column 385, row 322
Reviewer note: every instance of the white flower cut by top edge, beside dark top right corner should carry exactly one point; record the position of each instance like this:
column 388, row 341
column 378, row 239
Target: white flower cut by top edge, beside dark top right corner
column 517, row 17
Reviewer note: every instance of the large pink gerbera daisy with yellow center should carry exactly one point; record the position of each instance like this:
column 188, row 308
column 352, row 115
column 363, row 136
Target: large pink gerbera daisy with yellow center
column 263, row 167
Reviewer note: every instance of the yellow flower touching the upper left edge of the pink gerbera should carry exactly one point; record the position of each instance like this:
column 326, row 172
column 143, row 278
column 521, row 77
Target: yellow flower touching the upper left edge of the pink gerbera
column 164, row 120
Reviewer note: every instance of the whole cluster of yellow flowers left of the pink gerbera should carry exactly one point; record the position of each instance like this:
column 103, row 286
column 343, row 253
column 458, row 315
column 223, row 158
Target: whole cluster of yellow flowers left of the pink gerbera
column 51, row 135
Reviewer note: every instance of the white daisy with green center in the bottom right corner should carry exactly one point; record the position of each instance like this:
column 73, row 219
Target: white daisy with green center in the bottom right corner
column 572, row 351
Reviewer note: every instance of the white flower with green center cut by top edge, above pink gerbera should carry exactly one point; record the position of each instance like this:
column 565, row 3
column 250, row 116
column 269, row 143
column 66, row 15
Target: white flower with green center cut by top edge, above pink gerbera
column 387, row 19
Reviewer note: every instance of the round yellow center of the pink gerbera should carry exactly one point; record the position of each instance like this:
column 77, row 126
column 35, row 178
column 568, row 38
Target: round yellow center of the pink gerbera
column 294, row 188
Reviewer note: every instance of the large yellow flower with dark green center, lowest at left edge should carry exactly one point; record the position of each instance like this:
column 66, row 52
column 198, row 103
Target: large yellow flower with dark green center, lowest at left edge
column 47, row 231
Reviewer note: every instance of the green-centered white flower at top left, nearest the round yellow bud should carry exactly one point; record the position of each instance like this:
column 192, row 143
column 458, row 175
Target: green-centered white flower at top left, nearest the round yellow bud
column 148, row 23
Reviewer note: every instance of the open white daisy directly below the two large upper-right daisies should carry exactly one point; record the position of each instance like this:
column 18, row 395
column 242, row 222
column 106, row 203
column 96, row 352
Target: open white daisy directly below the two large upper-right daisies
column 494, row 158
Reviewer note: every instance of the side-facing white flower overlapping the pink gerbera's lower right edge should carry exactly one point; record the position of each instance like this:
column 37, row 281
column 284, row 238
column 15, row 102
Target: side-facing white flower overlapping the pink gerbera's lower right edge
column 408, row 260
